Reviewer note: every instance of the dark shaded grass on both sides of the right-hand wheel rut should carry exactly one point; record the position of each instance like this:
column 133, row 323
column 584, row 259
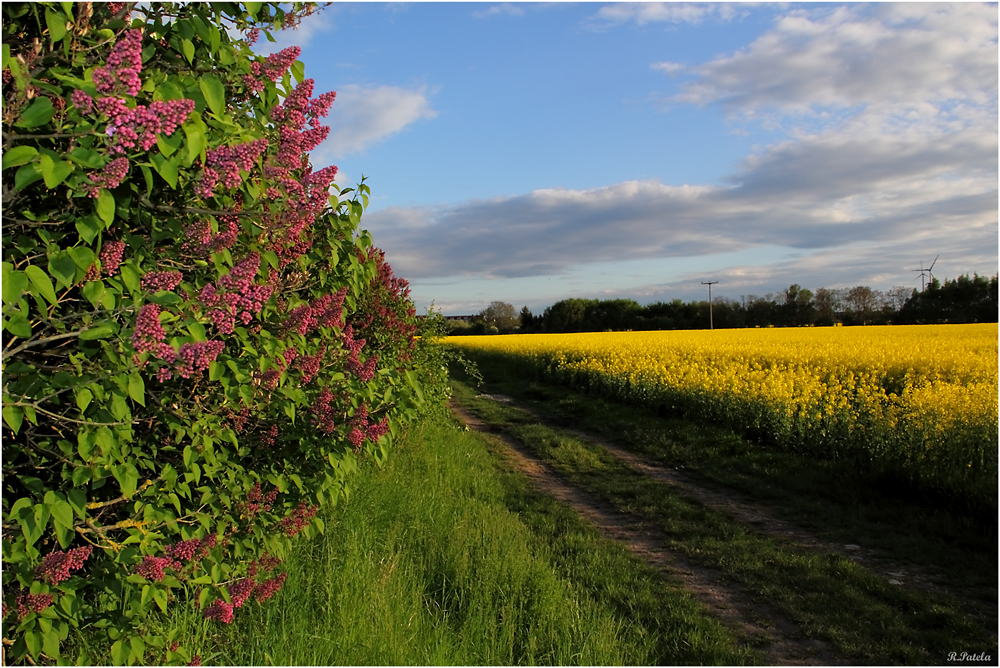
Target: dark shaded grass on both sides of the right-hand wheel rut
column 866, row 618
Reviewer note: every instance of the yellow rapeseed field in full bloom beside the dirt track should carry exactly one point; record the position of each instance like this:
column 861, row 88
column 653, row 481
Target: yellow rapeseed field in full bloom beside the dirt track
column 919, row 400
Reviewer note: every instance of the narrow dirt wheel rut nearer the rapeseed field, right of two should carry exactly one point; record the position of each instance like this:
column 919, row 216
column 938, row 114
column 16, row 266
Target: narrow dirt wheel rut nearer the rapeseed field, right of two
column 744, row 510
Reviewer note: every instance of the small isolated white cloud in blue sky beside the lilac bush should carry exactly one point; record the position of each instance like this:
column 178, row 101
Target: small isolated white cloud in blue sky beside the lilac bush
column 365, row 115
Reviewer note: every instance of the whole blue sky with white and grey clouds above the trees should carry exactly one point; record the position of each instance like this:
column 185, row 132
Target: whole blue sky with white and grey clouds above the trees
column 533, row 152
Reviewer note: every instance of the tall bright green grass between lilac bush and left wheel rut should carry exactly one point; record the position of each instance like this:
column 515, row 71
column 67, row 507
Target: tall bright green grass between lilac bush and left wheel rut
column 445, row 557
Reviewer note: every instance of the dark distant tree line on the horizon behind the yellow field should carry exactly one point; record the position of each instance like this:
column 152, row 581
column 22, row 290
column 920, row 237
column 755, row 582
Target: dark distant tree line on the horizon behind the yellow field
column 962, row 300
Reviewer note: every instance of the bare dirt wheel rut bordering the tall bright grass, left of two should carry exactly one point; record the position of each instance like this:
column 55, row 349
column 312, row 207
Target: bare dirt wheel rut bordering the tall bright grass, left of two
column 781, row 642
